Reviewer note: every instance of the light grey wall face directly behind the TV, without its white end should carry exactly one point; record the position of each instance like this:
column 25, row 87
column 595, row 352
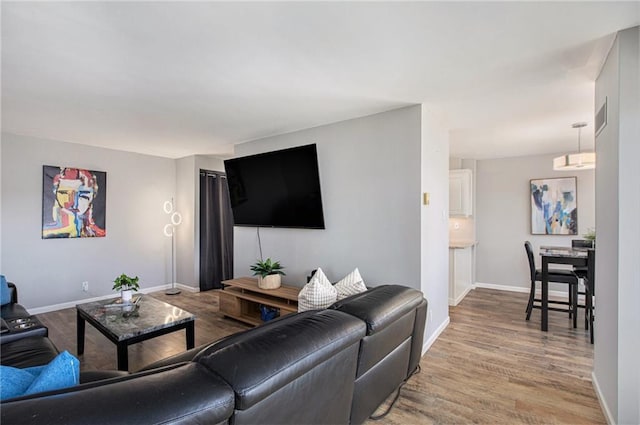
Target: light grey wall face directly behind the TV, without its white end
column 370, row 180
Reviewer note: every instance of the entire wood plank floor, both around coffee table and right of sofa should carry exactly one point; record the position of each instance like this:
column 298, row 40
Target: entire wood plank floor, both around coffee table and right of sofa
column 489, row 366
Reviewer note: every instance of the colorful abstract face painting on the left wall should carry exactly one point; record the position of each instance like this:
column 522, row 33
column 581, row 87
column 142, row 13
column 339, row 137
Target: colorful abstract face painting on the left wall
column 73, row 202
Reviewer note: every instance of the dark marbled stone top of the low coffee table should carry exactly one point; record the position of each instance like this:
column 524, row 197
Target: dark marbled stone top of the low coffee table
column 126, row 321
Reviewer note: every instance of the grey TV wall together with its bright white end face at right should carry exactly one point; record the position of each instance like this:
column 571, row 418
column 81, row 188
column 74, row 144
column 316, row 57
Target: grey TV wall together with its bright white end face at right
column 373, row 171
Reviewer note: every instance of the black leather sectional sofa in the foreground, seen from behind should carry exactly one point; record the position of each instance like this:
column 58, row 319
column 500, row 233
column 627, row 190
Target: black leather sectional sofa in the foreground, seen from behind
column 331, row 366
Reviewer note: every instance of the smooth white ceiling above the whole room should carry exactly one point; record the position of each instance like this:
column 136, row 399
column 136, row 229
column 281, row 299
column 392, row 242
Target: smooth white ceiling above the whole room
column 180, row 78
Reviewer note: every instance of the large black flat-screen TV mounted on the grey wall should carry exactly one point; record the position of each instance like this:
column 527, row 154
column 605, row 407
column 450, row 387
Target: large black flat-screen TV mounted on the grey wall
column 276, row 189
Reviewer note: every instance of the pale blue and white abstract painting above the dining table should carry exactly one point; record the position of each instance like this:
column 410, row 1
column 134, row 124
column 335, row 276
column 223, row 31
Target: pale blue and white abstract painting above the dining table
column 554, row 207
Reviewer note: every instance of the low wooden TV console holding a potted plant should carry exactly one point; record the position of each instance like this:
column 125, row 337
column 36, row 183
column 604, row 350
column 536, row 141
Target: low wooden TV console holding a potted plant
column 241, row 300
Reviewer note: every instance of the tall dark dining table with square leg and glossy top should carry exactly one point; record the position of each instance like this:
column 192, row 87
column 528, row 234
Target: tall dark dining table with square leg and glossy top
column 557, row 255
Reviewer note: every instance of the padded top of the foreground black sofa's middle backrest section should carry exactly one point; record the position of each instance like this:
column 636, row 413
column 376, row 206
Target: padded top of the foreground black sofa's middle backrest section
column 258, row 362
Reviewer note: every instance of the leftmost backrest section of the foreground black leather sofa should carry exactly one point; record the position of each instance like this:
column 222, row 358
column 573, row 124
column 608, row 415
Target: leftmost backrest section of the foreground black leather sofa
column 183, row 395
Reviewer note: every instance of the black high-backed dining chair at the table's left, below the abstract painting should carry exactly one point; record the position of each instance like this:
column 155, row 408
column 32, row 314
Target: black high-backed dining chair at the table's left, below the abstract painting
column 555, row 275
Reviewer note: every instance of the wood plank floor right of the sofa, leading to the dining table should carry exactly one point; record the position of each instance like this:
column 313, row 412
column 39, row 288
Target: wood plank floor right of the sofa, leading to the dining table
column 490, row 366
